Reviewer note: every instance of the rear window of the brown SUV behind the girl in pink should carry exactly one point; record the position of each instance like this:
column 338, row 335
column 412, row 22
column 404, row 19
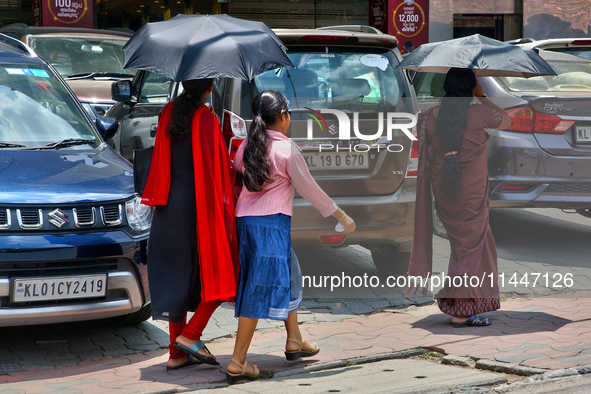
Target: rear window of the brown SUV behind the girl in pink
column 326, row 76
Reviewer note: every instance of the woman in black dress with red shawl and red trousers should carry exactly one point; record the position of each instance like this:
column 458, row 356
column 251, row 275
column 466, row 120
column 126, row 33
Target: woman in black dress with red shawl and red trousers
column 193, row 258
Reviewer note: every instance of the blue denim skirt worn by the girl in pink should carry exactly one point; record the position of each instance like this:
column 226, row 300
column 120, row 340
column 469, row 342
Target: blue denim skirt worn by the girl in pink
column 267, row 269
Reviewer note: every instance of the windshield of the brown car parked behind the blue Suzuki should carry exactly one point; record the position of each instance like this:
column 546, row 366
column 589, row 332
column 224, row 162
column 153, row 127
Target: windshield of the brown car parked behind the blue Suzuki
column 78, row 55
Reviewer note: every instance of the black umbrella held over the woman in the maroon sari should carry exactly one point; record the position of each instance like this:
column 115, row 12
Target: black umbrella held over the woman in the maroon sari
column 486, row 56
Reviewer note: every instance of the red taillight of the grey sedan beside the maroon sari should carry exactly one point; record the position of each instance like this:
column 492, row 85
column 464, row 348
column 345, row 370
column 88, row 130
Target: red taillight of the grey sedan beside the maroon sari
column 527, row 120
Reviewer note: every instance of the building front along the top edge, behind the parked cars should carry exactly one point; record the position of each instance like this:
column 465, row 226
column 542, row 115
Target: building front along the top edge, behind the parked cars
column 500, row 19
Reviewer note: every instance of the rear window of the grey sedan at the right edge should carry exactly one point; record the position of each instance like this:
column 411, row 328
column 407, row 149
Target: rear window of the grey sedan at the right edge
column 572, row 77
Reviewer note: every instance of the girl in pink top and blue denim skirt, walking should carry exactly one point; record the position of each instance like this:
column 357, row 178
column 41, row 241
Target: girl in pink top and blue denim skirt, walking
column 272, row 167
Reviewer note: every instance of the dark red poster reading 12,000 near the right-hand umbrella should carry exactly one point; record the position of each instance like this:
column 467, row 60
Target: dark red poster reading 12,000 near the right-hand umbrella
column 408, row 20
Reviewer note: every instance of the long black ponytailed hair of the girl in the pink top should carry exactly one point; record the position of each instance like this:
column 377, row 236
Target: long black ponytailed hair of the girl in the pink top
column 267, row 106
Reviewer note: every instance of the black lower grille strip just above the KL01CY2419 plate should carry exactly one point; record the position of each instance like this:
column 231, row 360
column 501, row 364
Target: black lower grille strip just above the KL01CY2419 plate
column 57, row 268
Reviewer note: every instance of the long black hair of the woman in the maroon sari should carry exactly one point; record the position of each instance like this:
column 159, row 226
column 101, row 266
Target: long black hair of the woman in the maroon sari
column 451, row 124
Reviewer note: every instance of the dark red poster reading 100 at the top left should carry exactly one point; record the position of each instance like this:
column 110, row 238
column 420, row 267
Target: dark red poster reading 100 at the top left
column 64, row 13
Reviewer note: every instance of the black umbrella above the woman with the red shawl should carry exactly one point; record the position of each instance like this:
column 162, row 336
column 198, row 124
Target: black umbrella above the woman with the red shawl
column 206, row 46
